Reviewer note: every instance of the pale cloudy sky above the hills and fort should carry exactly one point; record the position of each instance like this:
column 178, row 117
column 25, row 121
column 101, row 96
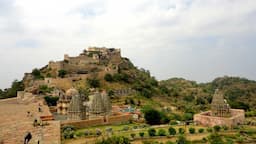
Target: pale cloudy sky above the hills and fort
column 195, row 39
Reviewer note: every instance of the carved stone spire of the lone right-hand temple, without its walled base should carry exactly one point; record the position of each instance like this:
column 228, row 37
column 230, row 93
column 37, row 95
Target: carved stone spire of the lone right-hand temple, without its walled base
column 219, row 106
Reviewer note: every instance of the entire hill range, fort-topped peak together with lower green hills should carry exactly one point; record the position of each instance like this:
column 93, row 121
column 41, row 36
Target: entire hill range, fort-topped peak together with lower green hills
column 105, row 69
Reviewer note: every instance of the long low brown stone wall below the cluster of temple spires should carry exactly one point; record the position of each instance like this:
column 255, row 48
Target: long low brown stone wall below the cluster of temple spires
column 99, row 121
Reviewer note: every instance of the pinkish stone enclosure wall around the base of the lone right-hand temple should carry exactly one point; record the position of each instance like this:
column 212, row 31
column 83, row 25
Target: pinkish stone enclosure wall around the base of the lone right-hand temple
column 206, row 119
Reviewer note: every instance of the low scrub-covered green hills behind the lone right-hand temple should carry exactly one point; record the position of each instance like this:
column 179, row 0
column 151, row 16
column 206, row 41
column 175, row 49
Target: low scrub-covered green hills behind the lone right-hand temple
column 239, row 92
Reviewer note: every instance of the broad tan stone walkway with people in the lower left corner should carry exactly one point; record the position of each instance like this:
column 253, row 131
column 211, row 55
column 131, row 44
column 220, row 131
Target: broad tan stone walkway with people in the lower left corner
column 15, row 123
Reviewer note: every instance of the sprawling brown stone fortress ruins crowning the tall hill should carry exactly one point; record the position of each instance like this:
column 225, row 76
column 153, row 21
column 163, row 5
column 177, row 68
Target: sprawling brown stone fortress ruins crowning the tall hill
column 92, row 61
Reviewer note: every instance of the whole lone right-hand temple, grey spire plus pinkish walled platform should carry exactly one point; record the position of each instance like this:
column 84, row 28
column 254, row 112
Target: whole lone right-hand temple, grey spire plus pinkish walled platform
column 220, row 113
